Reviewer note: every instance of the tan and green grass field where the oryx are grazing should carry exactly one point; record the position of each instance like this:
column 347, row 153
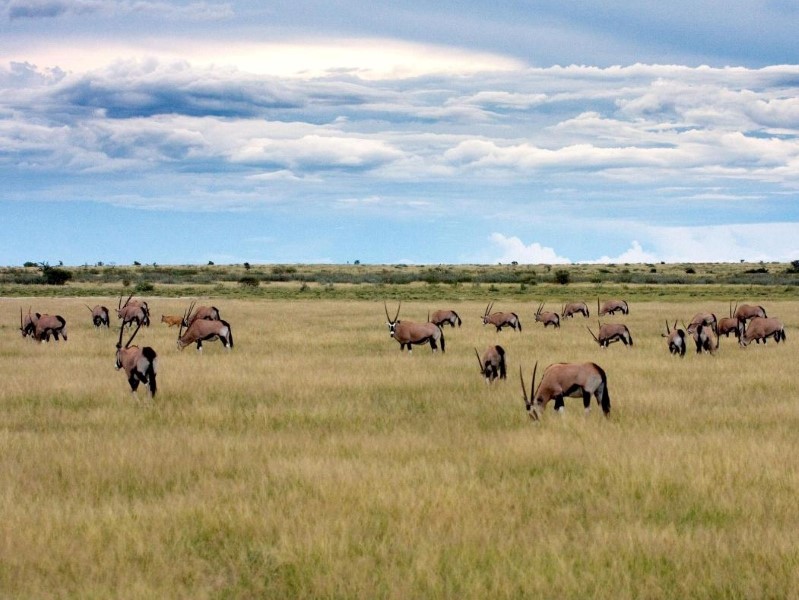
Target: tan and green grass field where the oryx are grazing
column 315, row 460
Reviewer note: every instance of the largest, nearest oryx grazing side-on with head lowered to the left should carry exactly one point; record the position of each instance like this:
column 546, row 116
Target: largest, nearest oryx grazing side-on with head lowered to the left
column 567, row 379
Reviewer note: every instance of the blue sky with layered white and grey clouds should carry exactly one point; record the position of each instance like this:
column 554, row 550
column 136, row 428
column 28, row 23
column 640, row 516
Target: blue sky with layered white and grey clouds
column 419, row 132
